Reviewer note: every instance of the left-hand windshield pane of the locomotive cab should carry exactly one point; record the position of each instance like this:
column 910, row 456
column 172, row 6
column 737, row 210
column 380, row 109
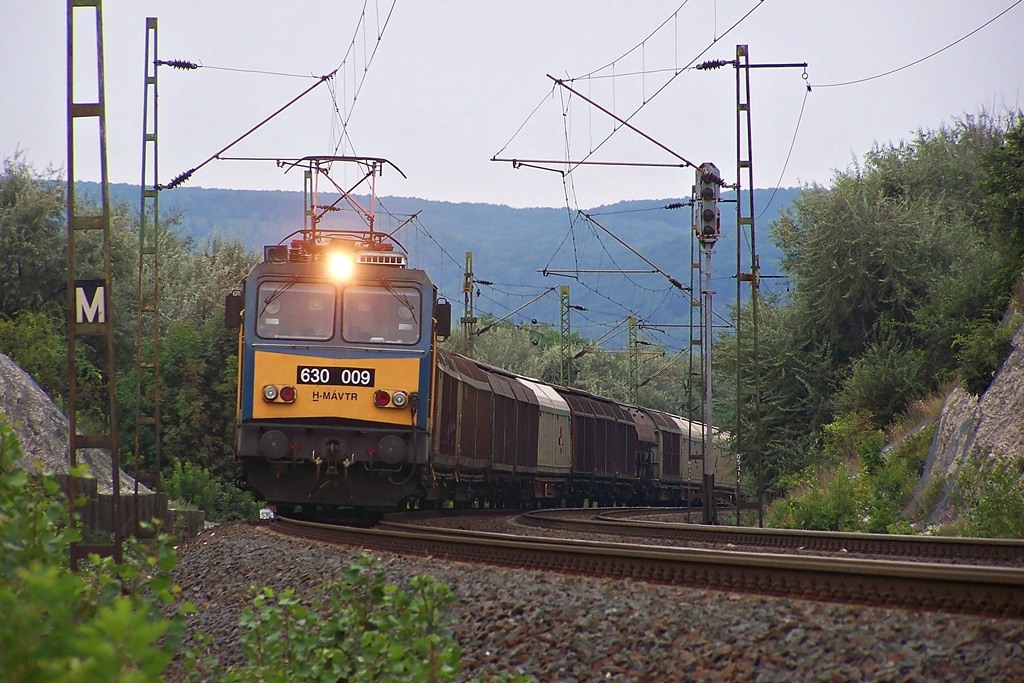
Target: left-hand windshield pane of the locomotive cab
column 295, row 311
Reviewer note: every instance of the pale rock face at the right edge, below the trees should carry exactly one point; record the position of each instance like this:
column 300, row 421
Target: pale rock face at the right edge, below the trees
column 992, row 426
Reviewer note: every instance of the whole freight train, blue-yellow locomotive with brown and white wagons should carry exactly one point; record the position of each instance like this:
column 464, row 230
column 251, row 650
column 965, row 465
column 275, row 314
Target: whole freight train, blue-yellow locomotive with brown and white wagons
column 346, row 401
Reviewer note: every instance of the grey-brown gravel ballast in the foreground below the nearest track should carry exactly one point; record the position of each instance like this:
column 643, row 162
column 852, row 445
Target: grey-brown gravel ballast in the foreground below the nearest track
column 563, row 628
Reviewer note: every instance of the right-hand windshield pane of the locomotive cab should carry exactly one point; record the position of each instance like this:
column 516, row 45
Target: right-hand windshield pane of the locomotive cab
column 382, row 315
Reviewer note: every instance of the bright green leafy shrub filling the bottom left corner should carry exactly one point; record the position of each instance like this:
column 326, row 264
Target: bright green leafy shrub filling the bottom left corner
column 104, row 624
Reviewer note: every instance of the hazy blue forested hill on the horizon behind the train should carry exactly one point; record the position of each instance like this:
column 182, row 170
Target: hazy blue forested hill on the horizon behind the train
column 509, row 245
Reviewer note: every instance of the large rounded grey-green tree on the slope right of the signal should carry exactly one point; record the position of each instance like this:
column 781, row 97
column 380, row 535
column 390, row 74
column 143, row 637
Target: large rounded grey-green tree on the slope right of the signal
column 894, row 263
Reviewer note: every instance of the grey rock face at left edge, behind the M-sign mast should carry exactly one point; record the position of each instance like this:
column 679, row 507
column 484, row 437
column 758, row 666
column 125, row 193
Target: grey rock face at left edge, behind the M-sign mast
column 44, row 431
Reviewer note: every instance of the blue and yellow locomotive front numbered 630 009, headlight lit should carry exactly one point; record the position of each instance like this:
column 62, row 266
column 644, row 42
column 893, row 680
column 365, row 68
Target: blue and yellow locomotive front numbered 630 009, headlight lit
column 336, row 370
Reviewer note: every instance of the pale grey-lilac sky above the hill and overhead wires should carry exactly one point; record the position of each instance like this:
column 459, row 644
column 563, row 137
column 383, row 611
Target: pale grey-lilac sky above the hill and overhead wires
column 440, row 89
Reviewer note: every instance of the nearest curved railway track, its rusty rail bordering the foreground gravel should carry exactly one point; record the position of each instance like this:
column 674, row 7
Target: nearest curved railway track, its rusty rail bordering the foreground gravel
column 952, row 588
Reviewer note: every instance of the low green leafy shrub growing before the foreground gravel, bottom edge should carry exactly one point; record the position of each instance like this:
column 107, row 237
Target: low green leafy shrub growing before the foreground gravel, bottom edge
column 361, row 629
